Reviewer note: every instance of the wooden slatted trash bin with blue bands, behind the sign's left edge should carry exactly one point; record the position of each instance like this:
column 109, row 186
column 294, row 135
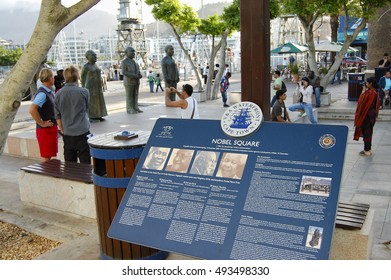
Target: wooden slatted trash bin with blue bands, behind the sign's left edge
column 114, row 162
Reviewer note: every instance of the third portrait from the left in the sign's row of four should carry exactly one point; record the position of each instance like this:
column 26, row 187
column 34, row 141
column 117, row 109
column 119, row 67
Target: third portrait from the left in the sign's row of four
column 204, row 163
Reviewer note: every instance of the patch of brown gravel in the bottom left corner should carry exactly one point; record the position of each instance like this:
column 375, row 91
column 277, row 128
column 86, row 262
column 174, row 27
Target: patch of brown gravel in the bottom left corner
column 18, row 244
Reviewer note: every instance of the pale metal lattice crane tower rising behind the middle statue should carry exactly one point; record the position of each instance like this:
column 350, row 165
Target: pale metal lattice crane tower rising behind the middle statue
column 131, row 31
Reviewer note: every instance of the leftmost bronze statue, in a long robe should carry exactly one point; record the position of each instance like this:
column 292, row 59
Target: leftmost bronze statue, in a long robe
column 91, row 79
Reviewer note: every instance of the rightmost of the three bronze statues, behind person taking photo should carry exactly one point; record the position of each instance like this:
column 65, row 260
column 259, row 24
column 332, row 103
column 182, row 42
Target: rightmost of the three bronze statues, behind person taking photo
column 170, row 70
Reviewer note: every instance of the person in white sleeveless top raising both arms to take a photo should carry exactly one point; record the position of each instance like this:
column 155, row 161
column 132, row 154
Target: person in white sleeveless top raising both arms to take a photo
column 188, row 105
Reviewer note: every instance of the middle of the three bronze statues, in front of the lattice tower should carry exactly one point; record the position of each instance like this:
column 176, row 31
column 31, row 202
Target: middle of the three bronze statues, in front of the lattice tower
column 132, row 76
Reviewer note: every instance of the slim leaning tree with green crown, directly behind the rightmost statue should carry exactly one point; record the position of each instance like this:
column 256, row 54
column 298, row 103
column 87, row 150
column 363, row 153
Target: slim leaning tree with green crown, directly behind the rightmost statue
column 183, row 21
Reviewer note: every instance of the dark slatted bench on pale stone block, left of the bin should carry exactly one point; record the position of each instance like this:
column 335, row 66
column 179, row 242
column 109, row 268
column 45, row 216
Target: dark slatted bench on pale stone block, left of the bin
column 64, row 187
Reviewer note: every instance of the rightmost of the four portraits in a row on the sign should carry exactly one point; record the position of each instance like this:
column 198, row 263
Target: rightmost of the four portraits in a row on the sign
column 232, row 165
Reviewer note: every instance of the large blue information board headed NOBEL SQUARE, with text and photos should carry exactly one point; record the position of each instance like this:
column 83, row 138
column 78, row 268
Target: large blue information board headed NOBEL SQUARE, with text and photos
column 270, row 195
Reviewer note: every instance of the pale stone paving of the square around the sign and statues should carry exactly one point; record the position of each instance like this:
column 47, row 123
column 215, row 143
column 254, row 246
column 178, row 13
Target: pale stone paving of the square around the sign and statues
column 365, row 179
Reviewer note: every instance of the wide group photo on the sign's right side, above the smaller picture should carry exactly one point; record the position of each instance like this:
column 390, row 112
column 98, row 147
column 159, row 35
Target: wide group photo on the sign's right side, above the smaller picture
column 311, row 185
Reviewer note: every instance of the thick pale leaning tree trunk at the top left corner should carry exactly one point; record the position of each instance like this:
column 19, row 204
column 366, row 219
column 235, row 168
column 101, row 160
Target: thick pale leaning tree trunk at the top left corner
column 52, row 18
